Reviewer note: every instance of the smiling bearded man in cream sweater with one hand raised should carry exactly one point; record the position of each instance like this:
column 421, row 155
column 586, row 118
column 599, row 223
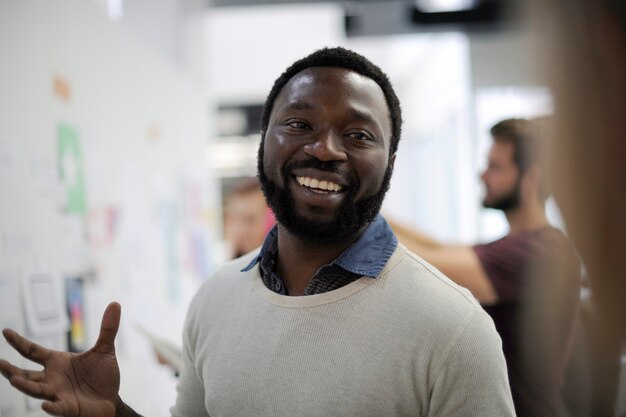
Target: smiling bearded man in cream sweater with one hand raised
column 331, row 317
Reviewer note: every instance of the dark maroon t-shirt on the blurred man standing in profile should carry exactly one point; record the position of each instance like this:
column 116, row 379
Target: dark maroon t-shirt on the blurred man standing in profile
column 536, row 275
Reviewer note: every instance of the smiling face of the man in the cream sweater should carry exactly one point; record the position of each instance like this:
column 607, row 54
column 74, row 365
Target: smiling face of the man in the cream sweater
column 324, row 164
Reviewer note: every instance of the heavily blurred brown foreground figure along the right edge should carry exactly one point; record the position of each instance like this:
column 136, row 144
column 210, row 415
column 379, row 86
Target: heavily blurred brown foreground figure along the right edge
column 582, row 48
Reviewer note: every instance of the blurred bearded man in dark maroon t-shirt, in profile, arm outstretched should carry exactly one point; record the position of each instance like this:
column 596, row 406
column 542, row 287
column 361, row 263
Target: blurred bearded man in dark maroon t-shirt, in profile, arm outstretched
column 511, row 276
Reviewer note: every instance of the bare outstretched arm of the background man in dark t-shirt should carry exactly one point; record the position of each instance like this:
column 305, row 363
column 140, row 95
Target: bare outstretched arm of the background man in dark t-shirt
column 457, row 262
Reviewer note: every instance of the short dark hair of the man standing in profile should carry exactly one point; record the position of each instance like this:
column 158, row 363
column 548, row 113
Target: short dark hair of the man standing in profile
column 525, row 135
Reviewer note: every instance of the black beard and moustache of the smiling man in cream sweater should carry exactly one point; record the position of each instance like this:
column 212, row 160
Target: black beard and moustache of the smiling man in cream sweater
column 351, row 216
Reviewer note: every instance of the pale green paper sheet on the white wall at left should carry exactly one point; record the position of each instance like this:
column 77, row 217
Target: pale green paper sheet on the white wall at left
column 71, row 168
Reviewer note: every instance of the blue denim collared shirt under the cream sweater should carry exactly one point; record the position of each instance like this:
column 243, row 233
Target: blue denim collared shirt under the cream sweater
column 365, row 257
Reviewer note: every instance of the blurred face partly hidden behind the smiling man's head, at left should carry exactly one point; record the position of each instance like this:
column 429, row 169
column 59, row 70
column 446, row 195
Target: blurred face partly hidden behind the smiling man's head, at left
column 247, row 218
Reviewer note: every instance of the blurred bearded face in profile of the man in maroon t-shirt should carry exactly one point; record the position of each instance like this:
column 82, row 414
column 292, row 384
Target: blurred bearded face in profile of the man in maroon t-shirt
column 501, row 178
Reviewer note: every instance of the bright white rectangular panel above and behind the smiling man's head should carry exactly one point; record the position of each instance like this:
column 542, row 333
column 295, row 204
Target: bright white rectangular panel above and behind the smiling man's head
column 247, row 48
